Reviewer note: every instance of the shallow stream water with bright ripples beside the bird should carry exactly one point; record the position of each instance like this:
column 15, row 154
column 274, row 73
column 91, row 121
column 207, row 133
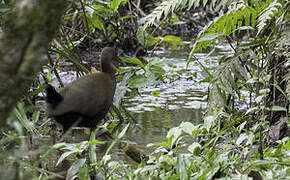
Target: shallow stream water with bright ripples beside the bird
column 182, row 97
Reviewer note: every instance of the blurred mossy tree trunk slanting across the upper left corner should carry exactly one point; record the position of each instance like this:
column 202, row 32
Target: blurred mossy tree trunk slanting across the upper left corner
column 23, row 43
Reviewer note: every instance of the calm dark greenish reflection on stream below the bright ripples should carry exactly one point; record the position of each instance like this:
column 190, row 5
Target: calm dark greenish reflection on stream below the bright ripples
column 153, row 125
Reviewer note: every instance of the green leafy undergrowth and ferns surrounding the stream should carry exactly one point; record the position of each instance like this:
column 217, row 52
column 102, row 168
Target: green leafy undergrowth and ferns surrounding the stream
column 245, row 130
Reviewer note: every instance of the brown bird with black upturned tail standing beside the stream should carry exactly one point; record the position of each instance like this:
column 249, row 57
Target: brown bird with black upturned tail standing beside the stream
column 85, row 101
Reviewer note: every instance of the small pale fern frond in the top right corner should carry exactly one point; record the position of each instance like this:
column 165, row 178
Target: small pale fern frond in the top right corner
column 267, row 14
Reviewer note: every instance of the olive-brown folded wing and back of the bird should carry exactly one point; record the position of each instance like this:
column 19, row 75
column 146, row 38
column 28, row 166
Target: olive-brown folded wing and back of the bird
column 87, row 95
